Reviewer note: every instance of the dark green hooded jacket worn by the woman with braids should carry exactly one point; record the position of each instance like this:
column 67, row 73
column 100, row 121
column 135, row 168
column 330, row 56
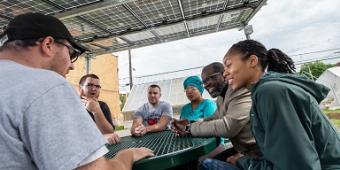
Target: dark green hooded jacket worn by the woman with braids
column 289, row 127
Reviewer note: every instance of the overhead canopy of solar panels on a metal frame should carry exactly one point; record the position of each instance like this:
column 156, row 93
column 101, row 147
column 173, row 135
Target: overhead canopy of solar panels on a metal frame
column 106, row 26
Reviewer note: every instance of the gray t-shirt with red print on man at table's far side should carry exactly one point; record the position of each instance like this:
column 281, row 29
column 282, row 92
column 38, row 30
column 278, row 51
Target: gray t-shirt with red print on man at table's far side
column 152, row 114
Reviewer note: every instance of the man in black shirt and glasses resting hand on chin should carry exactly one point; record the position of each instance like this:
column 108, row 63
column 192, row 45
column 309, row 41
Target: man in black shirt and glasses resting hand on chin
column 89, row 89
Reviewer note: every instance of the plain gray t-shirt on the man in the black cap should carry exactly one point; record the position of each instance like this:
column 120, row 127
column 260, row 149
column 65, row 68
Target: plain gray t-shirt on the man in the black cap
column 43, row 124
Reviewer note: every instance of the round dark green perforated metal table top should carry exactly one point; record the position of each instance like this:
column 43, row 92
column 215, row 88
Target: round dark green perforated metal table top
column 170, row 150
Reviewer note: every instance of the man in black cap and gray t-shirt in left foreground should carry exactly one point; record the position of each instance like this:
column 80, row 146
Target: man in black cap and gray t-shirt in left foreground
column 43, row 124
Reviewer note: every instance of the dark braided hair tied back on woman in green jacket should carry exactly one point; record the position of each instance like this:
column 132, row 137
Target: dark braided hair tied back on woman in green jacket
column 272, row 60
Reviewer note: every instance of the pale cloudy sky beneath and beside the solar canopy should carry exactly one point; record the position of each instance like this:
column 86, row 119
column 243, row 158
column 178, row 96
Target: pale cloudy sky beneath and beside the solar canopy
column 294, row 26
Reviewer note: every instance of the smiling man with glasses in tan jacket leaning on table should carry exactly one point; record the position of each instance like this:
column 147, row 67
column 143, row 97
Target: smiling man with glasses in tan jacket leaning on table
column 231, row 119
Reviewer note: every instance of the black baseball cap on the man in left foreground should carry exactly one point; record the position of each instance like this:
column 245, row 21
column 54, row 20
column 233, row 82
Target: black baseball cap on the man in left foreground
column 37, row 25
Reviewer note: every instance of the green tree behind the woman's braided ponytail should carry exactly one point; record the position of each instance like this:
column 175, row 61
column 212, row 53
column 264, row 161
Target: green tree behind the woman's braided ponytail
column 313, row 70
